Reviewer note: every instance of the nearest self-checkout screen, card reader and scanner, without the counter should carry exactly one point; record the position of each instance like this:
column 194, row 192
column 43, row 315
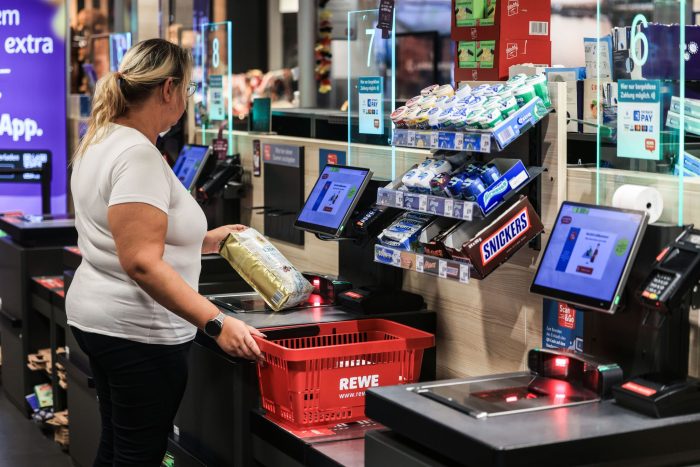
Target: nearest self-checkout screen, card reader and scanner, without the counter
column 587, row 263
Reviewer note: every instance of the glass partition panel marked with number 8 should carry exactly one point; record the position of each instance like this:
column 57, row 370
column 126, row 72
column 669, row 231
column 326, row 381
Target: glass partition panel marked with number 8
column 215, row 108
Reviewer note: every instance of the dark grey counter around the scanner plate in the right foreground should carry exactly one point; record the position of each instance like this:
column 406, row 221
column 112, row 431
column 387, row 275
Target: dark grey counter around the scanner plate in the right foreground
column 599, row 432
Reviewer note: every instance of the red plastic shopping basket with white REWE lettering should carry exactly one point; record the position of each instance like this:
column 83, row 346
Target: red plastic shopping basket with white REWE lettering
column 317, row 375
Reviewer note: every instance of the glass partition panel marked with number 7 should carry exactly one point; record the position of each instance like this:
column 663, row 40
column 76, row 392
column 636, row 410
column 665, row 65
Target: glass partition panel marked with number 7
column 371, row 93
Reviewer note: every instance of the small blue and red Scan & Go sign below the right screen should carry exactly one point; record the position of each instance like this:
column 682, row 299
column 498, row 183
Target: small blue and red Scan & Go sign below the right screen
column 562, row 326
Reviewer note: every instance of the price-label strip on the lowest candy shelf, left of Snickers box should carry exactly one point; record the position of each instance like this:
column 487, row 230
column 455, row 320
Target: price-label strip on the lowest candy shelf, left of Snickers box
column 425, row 264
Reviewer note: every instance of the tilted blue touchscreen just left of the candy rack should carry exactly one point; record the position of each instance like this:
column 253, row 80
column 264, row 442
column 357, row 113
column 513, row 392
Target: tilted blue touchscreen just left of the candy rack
column 332, row 198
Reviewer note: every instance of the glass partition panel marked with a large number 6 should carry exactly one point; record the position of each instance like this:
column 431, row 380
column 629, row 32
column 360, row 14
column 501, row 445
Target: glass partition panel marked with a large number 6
column 633, row 99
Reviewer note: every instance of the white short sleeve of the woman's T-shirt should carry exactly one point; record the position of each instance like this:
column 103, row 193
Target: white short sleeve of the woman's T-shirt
column 140, row 175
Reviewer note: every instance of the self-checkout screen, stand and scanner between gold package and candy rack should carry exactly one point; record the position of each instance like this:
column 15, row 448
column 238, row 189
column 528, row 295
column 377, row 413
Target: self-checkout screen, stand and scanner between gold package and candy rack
column 341, row 208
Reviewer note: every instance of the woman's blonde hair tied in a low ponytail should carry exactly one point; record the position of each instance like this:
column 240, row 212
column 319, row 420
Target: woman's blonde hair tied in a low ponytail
column 144, row 67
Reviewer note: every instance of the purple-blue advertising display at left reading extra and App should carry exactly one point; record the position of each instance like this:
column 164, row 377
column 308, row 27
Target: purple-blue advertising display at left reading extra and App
column 33, row 95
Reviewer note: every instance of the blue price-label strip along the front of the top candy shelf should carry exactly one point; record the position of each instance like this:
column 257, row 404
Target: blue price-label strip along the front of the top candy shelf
column 485, row 141
